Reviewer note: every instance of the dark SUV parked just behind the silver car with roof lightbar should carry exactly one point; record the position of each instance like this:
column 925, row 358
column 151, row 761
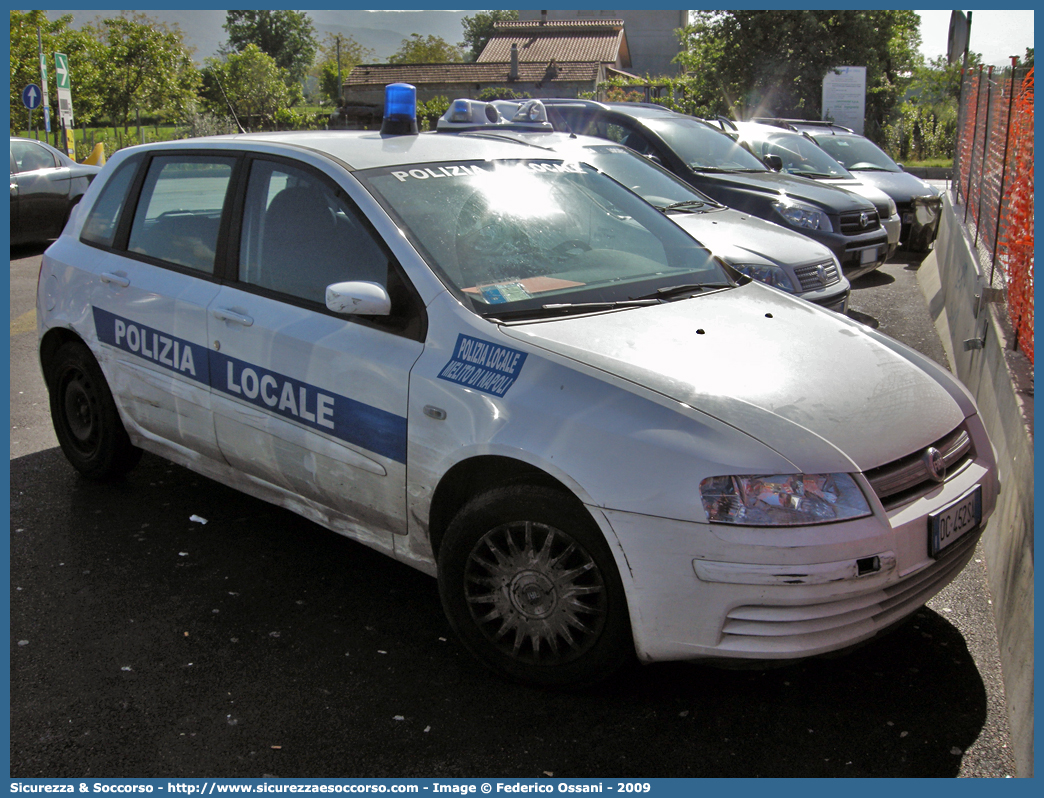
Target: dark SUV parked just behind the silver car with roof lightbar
column 711, row 161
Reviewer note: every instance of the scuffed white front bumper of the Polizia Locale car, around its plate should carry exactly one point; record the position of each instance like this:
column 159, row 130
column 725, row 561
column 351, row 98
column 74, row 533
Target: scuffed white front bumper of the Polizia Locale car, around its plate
column 702, row 592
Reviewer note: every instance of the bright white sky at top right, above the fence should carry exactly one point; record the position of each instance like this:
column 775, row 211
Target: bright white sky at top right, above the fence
column 996, row 35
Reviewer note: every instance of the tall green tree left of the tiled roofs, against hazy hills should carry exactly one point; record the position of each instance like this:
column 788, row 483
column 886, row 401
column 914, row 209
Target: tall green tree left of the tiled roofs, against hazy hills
column 288, row 37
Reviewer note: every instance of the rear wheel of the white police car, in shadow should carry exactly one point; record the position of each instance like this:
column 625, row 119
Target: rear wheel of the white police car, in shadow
column 85, row 417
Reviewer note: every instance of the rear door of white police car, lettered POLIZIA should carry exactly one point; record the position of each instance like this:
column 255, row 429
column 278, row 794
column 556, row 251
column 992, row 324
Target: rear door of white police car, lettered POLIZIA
column 155, row 280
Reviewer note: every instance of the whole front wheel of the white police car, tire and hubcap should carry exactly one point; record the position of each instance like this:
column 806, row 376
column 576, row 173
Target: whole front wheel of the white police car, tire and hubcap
column 531, row 588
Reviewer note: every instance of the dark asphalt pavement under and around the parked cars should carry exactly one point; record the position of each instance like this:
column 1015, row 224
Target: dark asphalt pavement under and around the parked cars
column 145, row 643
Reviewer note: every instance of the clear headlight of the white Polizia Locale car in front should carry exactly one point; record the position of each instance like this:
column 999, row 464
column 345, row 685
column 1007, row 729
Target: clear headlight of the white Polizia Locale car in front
column 782, row 500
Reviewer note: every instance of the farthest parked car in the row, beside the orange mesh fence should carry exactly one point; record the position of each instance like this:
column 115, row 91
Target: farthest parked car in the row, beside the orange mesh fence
column 920, row 205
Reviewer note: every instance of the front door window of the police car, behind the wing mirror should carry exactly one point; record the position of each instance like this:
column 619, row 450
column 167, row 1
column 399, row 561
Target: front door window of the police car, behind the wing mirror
column 301, row 236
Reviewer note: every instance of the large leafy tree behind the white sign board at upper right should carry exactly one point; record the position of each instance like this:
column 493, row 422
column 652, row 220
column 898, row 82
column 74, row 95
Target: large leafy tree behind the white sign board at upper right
column 750, row 63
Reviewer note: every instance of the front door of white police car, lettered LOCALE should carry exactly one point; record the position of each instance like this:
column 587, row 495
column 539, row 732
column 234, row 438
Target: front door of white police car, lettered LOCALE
column 304, row 400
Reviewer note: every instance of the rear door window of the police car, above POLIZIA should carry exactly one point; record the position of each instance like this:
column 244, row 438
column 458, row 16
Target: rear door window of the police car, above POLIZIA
column 179, row 214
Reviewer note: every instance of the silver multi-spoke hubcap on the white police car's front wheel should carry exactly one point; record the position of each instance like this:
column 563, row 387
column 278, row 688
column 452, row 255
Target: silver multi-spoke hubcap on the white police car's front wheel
column 535, row 593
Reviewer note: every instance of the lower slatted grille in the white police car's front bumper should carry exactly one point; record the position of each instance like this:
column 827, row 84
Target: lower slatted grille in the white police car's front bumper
column 763, row 630
